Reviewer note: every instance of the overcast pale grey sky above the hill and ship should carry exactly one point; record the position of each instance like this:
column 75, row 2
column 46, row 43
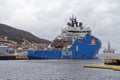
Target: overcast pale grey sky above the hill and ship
column 46, row 18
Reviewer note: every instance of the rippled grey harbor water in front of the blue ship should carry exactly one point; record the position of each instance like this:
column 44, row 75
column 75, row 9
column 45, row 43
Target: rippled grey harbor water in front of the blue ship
column 56, row 69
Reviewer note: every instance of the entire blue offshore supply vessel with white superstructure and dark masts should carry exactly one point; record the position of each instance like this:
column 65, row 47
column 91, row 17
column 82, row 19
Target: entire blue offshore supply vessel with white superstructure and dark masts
column 74, row 42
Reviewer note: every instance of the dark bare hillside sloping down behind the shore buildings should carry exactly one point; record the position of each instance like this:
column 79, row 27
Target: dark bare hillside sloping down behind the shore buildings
column 18, row 35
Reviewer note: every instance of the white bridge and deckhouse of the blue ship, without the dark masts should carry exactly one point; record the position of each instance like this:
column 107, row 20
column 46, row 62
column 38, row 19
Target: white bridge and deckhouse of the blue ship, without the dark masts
column 74, row 32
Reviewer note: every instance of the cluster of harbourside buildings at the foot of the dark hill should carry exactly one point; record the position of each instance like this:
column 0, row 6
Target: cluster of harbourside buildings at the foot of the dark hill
column 8, row 46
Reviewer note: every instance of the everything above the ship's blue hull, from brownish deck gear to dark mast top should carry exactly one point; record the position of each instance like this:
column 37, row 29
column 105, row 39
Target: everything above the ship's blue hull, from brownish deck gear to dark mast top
column 68, row 35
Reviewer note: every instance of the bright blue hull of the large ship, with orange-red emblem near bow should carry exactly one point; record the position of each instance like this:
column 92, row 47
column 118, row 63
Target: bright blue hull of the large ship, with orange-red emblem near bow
column 87, row 48
